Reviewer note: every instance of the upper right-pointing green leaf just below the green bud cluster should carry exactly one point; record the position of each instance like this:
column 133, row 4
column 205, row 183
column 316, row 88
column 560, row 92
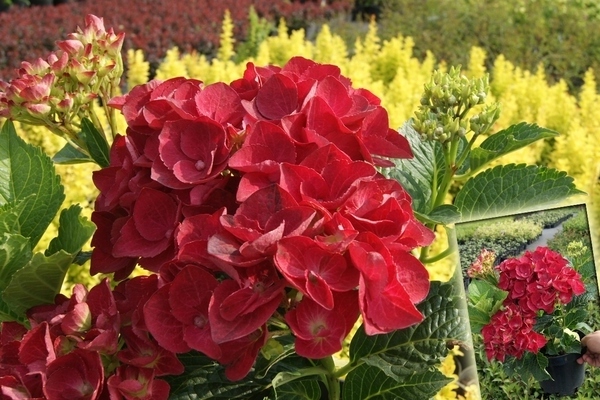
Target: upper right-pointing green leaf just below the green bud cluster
column 505, row 141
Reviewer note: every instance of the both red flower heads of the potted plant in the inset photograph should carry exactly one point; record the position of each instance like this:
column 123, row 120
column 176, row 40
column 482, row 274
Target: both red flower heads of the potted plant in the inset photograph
column 536, row 282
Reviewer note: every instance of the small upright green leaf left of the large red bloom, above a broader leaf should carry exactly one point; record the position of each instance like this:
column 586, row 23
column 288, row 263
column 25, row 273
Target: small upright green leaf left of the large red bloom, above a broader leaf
column 73, row 232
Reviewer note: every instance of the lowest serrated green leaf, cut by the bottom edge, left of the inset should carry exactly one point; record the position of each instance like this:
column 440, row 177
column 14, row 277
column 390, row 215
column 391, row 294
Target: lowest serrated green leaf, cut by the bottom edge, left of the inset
column 367, row 382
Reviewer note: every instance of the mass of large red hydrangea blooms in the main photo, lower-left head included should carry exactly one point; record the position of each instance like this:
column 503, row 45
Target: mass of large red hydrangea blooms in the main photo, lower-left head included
column 253, row 202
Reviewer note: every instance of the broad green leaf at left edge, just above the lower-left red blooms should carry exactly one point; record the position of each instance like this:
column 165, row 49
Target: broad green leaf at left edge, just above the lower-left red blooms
column 38, row 282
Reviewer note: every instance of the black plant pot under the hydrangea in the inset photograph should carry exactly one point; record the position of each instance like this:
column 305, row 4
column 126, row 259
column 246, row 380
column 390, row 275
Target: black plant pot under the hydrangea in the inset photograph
column 568, row 375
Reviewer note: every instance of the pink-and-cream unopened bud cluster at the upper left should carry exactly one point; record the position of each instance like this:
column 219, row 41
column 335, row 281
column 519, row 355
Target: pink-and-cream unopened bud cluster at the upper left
column 57, row 91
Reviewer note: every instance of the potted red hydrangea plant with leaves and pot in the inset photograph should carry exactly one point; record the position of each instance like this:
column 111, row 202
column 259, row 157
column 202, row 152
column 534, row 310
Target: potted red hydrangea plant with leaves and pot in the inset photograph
column 537, row 305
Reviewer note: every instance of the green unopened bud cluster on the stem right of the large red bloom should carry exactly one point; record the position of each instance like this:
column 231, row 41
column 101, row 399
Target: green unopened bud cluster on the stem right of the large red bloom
column 446, row 104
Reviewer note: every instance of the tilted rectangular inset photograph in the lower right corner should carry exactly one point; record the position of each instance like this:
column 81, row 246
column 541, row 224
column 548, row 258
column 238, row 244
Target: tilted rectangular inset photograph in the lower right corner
column 532, row 295
